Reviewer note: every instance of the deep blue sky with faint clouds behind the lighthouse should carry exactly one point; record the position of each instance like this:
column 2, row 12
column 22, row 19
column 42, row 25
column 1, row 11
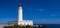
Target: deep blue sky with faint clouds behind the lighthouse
column 40, row 11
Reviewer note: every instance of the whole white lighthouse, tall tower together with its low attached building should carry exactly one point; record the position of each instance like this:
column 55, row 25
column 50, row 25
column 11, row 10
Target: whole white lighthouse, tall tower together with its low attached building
column 20, row 17
